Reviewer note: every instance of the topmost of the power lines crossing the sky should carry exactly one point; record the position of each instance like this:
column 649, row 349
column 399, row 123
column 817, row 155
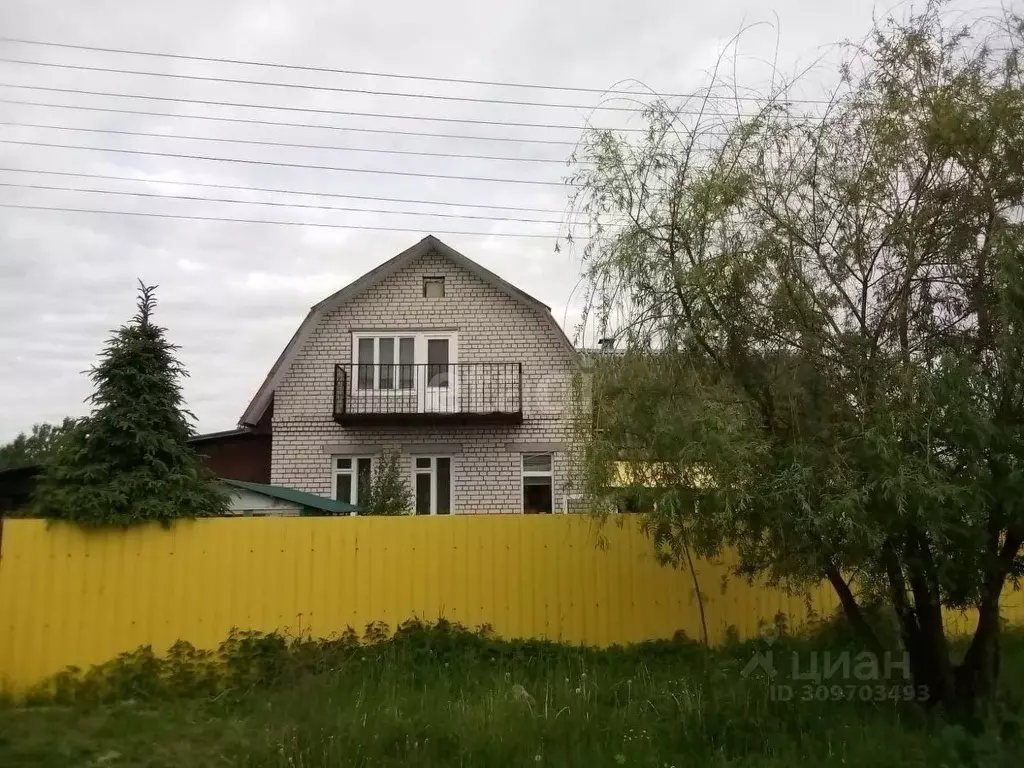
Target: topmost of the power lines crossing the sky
column 364, row 73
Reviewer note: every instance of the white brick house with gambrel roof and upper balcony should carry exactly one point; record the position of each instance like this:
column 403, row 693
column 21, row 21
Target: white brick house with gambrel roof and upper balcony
column 436, row 358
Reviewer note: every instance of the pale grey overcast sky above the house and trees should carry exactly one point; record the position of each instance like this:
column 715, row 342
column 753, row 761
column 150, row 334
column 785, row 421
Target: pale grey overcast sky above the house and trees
column 232, row 294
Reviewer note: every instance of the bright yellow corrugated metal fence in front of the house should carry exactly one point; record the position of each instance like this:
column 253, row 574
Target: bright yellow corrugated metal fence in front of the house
column 70, row 596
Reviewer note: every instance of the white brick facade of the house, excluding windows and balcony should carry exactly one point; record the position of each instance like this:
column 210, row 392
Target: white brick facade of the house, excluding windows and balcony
column 492, row 327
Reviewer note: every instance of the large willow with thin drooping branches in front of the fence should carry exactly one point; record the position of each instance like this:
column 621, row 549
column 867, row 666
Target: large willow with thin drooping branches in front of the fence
column 821, row 322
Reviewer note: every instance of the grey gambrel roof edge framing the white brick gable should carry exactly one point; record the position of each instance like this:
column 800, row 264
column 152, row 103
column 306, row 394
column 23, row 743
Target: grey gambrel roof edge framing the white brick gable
column 429, row 245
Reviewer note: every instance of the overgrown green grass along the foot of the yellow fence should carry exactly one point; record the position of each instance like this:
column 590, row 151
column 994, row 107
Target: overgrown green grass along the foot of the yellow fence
column 446, row 698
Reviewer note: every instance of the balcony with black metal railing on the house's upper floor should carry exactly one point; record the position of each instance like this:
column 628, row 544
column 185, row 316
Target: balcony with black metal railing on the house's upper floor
column 429, row 394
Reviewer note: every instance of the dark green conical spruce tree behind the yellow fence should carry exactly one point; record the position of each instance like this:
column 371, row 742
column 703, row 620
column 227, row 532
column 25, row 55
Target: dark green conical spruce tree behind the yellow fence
column 130, row 461
